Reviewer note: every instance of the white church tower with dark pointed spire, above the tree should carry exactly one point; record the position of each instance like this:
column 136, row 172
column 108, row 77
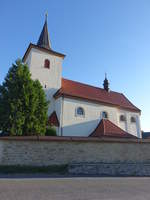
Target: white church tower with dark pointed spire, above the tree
column 44, row 63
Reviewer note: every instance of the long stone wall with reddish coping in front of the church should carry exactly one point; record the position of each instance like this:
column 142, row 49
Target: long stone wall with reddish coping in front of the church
column 65, row 150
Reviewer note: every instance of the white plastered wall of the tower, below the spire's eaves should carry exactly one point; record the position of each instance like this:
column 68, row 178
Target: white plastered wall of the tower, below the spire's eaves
column 50, row 79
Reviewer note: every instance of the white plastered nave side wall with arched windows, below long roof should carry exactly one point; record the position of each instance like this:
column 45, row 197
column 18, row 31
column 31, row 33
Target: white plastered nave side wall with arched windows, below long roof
column 73, row 125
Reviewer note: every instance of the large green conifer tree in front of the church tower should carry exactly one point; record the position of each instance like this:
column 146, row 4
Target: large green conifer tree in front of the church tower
column 23, row 105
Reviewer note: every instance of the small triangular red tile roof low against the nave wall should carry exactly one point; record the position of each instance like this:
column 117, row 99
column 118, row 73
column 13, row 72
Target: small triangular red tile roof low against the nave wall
column 108, row 129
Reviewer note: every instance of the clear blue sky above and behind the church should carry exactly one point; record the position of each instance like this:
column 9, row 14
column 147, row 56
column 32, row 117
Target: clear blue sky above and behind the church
column 97, row 36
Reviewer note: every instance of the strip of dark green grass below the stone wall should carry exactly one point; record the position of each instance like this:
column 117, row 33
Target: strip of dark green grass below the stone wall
column 18, row 169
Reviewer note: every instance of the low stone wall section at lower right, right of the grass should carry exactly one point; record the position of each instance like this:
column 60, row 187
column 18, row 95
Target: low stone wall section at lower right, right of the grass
column 110, row 169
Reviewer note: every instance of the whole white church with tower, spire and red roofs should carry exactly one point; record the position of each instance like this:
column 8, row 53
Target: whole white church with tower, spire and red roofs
column 78, row 109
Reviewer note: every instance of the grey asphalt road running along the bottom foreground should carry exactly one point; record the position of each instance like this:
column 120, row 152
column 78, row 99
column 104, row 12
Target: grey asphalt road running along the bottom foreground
column 75, row 189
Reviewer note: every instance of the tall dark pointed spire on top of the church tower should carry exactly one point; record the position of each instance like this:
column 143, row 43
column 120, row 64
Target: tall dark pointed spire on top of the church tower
column 44, row 40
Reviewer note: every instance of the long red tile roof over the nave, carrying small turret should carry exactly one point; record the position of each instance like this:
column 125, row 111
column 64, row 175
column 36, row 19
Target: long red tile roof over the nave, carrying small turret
column 75, row 89
